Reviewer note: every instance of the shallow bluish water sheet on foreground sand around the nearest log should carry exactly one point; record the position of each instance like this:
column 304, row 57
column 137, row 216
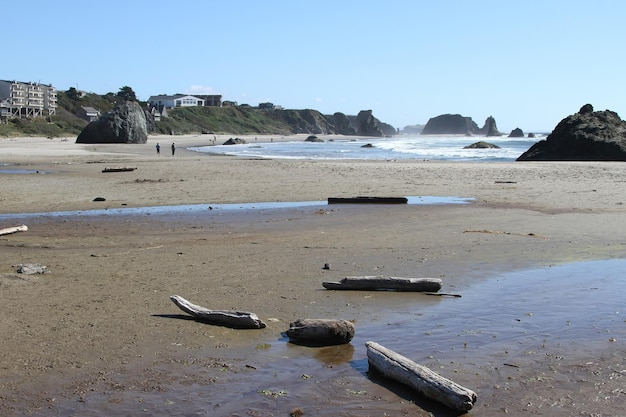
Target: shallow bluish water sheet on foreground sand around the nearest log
column 486, row 340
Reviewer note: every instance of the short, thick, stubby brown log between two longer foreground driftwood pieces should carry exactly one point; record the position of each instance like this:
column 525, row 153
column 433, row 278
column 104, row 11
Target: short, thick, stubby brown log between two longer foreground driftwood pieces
column 320, row 332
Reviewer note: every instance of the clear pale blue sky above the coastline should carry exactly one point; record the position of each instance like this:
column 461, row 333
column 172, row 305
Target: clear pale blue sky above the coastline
column 527, row 63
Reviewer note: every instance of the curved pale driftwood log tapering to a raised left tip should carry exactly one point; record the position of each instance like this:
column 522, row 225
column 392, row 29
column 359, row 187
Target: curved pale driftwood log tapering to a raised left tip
column 232, row 319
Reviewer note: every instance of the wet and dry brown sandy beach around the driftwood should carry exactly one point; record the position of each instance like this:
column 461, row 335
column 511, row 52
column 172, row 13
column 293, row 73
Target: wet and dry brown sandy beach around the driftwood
column 94, row 336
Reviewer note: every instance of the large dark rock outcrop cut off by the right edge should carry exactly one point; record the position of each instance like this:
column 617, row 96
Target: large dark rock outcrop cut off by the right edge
column 585, row 136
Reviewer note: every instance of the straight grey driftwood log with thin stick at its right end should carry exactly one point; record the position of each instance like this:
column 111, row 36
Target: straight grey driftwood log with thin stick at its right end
column 372, row 283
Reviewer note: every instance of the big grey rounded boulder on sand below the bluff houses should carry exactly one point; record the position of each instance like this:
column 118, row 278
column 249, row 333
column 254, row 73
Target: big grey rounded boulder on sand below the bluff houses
column 126, row 123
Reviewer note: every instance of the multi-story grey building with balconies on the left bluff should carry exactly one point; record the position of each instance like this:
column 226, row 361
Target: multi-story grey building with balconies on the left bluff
column 19, row 99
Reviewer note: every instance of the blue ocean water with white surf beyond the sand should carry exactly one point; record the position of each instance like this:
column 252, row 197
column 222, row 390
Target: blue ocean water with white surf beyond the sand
column 401, row 147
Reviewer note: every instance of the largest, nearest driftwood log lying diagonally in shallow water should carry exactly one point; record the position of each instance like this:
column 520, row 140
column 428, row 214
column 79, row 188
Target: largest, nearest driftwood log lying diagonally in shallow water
column 428, row 383
